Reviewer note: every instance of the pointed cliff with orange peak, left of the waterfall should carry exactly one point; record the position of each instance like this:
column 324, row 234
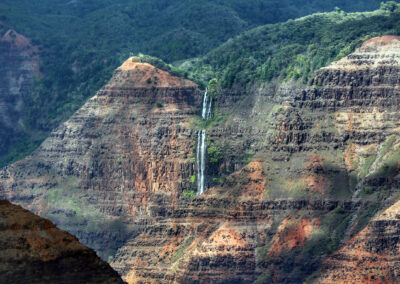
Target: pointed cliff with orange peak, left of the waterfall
column 127, row 144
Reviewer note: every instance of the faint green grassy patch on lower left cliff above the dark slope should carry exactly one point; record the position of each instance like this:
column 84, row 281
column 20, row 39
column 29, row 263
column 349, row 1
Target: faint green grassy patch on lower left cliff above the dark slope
column 69, row 208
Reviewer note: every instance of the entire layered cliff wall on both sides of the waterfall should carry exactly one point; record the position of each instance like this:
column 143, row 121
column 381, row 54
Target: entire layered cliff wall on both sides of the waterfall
column 300, row 171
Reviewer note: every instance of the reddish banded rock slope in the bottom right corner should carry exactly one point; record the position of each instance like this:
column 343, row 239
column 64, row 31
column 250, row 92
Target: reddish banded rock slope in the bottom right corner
column 371, row 256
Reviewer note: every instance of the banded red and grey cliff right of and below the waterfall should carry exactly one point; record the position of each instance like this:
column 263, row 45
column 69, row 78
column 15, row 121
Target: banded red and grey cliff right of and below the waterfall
column 324, row 161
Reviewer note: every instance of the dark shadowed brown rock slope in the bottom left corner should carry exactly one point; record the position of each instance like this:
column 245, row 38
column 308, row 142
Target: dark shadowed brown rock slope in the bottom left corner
column 33, row 250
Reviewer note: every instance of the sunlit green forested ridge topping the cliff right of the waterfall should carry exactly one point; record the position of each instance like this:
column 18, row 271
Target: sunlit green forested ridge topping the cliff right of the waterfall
column 295, row 49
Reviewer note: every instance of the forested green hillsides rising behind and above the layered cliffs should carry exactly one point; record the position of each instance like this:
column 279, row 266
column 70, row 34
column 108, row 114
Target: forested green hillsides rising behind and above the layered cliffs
column 82, row 42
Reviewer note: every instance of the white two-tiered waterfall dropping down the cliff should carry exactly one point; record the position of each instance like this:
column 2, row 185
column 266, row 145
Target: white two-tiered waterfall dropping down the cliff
column 202, row 144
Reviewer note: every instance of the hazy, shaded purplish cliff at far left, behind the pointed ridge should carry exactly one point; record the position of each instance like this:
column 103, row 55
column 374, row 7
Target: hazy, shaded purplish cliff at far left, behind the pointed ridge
column 19, row 64
